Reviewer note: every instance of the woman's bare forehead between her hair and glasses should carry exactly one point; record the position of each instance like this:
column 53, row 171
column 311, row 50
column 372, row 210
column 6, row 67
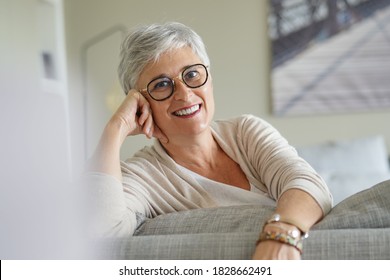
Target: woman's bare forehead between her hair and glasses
column 170, row 63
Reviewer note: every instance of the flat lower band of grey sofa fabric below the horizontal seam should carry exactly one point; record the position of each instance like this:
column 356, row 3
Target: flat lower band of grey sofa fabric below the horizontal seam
column 340, row 244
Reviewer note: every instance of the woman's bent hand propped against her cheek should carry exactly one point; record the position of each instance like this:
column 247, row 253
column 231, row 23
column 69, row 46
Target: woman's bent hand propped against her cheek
column 134, row 116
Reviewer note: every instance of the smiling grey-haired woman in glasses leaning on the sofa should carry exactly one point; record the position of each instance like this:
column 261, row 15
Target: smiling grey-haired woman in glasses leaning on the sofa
column 194, row 161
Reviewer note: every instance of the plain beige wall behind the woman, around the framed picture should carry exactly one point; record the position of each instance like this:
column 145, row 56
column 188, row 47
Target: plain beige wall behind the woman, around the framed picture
column 235, row 35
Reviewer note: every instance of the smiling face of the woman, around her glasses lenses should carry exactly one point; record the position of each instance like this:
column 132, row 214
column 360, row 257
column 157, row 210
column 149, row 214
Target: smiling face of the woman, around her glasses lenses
column 172, row 115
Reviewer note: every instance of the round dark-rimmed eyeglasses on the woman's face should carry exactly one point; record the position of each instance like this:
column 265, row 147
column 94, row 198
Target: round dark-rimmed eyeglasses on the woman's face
column 162, row 88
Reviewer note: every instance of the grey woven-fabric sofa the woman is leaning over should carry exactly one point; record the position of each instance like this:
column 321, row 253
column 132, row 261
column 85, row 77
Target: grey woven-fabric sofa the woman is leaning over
column 356, row 228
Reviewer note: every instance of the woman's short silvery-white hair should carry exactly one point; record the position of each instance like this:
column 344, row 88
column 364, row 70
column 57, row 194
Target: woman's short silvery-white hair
column 146, row 44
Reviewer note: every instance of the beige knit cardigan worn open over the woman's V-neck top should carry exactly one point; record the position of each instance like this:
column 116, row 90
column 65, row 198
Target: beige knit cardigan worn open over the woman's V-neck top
column 153, row 184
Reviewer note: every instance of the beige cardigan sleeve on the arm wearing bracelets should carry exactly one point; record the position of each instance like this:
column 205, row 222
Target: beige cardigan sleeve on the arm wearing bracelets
column 277, row 163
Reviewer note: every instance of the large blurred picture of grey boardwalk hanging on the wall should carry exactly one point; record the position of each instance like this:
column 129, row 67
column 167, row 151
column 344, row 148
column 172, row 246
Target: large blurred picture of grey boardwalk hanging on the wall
column 329, row 56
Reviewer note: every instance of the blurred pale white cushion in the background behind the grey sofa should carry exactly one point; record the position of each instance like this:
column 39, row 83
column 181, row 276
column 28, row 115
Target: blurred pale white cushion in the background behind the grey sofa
column 349, row 166
